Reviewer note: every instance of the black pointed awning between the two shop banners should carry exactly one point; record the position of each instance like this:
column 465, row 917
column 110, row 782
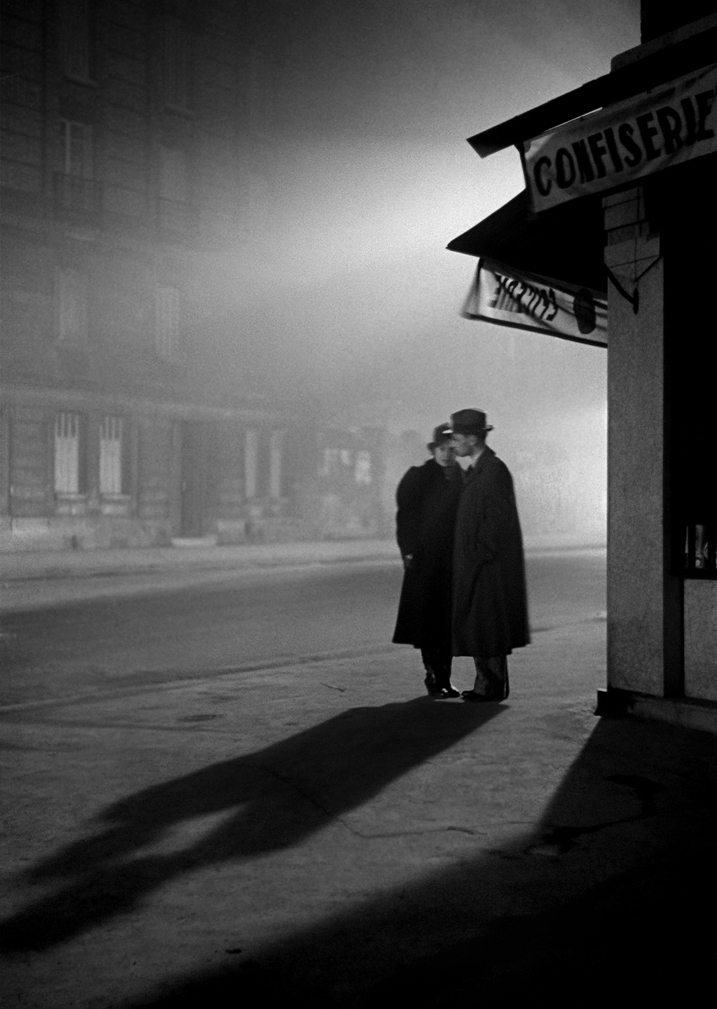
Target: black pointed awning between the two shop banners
column 565, row 245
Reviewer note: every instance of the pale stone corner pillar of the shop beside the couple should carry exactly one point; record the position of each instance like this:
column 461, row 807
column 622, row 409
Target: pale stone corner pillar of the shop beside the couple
column 645, row 600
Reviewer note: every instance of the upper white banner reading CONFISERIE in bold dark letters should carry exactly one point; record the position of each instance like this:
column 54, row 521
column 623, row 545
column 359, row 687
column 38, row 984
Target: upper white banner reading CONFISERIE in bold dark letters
column 665, row 127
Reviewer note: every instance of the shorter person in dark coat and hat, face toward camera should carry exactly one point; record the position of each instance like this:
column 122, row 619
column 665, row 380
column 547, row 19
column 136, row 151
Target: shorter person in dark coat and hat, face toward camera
column 427, row 499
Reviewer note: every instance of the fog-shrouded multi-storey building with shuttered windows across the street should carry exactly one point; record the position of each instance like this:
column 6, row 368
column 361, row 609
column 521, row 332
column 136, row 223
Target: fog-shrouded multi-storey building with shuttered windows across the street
column 134, row 155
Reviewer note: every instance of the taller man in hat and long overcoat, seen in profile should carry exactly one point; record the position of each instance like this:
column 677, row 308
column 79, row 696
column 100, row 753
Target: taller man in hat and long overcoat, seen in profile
column 490, row 596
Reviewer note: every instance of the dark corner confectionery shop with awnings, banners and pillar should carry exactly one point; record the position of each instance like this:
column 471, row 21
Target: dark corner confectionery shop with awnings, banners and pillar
column 624, row 171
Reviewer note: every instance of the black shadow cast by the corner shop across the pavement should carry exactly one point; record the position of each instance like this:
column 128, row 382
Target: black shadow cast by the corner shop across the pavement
column 612, row 898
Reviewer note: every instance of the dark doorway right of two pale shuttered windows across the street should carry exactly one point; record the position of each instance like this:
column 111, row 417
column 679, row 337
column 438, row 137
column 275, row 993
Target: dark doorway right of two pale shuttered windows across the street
column 199, row 468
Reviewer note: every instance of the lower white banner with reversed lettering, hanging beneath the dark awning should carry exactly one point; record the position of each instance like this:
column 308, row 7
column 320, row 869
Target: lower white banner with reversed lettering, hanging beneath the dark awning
column 510, row 297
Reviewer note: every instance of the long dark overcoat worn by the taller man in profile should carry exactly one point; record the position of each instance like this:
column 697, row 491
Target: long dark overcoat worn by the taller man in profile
column 490, row 597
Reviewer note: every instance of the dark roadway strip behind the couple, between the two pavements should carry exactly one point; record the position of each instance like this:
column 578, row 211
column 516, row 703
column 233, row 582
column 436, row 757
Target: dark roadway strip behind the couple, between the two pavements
column 250, row 622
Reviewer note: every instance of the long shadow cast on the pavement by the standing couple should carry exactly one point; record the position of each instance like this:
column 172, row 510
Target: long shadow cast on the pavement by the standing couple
column 280, row 795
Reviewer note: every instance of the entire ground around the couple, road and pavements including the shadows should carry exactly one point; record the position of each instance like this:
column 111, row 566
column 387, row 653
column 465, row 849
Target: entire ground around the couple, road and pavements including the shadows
column 235, row 793
